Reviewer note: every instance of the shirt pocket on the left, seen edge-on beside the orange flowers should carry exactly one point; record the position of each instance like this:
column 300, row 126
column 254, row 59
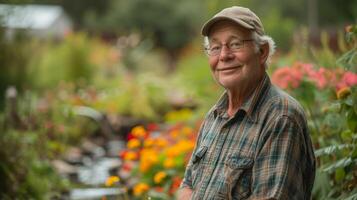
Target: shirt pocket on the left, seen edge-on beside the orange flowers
column 197, row 165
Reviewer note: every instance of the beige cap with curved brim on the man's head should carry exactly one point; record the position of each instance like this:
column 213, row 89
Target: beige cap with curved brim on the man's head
column 240, row 15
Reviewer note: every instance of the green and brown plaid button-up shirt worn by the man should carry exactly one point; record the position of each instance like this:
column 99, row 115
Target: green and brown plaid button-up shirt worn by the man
column 263, row 152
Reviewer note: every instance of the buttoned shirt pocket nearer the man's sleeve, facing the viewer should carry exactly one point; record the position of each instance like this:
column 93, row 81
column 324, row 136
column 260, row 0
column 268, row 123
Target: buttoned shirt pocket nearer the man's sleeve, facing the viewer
column 237, row 175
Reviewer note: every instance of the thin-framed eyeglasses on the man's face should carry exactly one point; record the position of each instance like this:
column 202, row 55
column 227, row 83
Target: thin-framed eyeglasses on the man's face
column 233, row 46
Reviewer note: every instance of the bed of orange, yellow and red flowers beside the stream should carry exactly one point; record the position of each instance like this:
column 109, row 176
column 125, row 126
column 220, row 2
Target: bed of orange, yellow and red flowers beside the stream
column 155, row 160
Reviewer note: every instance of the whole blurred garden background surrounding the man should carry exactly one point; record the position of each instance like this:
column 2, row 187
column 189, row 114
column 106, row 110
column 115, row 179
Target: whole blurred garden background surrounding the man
column 103, row 99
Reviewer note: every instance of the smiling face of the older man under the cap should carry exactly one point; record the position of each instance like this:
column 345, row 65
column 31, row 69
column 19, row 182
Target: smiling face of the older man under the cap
column 238, row 69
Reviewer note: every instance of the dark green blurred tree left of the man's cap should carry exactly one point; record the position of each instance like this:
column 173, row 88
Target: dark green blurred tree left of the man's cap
column 171, row 25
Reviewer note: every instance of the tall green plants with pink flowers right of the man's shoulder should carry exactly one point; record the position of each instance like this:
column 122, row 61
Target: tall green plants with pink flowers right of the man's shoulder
column 329, row 96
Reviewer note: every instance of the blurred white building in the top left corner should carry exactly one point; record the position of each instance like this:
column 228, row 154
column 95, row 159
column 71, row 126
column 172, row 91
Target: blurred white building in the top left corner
column 39, row 20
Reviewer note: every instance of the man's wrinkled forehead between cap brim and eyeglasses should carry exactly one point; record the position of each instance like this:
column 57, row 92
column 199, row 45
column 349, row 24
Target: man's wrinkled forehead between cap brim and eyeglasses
column 226, row 28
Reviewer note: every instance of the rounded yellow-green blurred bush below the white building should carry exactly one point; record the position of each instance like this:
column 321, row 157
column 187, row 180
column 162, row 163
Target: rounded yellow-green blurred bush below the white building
column 67, row 61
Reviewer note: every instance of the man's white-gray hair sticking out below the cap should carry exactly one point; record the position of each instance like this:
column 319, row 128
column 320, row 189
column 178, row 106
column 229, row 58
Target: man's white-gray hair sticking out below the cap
column 259, row 41
